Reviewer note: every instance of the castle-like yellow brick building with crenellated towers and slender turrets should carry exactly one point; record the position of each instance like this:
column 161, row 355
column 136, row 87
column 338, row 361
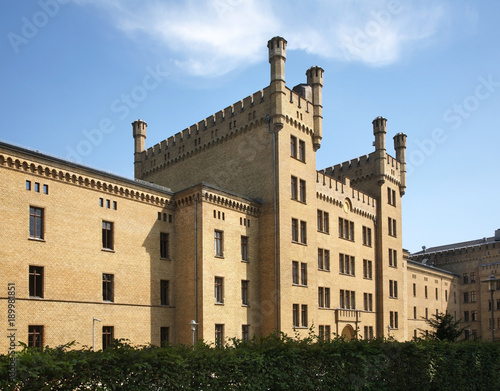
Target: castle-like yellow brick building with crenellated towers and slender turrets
column 228, row 224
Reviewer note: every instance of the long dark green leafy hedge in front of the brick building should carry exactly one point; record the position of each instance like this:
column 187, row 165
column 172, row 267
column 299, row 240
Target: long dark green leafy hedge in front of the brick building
column 271, row 363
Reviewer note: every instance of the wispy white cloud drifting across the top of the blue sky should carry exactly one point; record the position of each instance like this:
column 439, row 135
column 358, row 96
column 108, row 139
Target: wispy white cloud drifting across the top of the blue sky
column 213, row 37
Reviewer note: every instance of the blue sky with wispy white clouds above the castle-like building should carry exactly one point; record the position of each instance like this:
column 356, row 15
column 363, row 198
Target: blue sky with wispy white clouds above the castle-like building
column 74, row 74
